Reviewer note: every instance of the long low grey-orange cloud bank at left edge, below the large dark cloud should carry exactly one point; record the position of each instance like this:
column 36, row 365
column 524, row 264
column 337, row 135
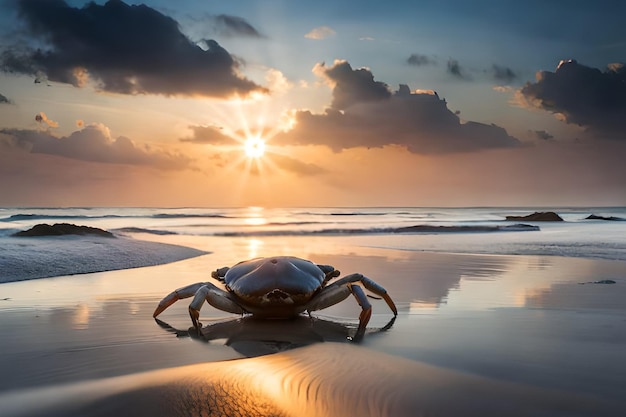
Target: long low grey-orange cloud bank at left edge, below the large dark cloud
column 94, row 143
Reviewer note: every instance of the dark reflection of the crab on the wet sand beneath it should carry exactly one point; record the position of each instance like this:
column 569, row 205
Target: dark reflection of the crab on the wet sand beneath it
column 253, row 337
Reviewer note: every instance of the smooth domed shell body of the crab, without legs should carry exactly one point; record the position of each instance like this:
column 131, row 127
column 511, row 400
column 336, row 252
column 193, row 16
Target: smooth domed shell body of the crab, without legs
column 274, row 287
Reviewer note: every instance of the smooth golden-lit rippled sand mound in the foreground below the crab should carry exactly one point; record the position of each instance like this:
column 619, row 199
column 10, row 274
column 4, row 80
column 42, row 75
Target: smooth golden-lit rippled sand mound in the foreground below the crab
column 320, row 380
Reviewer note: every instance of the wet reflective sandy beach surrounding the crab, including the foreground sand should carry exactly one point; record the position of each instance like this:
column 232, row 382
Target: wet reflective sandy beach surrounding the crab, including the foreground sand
column 476, row 334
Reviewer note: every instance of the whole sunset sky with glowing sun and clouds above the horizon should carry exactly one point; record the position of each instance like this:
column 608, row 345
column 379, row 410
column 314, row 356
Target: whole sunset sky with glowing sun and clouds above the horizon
column 291, row 103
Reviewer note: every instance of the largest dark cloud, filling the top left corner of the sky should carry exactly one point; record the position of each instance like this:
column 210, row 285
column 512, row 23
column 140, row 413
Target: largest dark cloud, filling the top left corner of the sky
column 128, row 49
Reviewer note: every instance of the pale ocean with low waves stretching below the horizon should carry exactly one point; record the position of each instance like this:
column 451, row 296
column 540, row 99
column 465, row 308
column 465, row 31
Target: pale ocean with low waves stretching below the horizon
column 396, row 227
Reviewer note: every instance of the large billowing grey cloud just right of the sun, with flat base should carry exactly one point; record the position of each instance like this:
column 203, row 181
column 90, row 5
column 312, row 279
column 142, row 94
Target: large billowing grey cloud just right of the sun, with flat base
column 366, row 114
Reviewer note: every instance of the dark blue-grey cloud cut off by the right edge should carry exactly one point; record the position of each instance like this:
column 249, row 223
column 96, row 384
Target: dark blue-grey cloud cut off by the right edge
column 583, row 96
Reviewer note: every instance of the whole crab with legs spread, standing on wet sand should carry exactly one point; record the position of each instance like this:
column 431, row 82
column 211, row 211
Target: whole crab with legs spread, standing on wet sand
column 278, row 287
